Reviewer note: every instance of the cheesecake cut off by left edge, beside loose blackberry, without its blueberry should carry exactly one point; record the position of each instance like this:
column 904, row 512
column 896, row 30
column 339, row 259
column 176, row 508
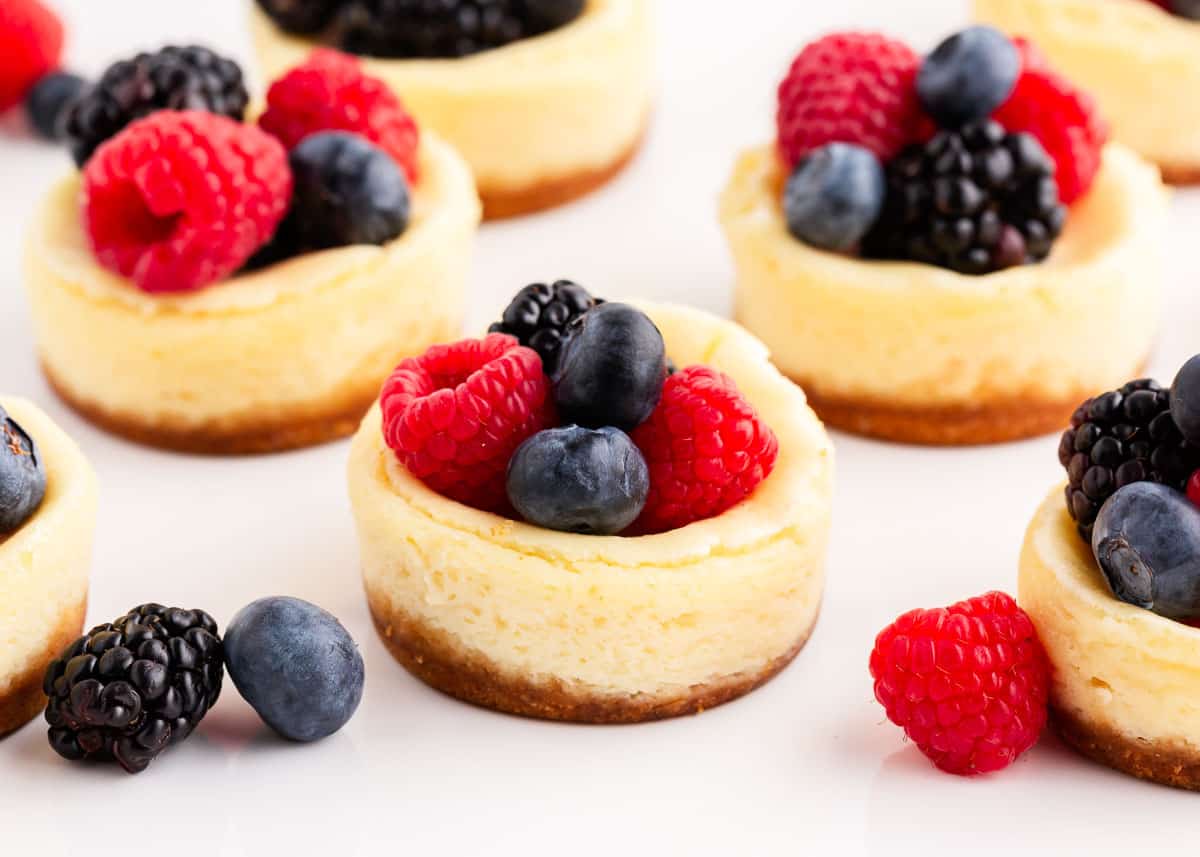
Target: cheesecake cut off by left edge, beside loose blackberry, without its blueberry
column 44, row 570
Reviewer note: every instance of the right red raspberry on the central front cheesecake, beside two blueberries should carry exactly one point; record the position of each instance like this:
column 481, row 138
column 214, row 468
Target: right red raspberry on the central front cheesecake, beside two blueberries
column 706, row 450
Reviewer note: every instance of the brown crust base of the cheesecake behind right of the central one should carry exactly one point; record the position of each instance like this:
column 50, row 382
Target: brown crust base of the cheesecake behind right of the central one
column 994, row 422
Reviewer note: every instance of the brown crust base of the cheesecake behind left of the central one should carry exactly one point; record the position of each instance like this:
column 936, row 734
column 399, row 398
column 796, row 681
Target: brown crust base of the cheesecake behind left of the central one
column 321, row 423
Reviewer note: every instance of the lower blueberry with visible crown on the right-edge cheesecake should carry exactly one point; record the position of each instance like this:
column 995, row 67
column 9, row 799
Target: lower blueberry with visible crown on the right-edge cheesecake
column 1148, row 543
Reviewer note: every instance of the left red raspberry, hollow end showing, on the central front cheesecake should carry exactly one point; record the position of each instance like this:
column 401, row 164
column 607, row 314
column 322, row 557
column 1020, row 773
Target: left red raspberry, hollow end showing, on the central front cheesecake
column 457, row 415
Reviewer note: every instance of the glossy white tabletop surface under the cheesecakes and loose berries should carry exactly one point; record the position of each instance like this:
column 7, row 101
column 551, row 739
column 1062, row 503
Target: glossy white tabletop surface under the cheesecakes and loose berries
column 802, row 766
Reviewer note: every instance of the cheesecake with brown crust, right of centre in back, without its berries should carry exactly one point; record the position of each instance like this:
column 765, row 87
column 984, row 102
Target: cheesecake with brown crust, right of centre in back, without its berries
column 922, row 355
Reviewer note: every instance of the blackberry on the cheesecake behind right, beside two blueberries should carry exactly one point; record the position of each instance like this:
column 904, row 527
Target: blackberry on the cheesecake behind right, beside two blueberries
column 975, row 201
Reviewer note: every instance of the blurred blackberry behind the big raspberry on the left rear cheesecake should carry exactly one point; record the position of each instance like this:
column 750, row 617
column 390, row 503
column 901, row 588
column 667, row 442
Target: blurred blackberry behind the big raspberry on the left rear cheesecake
column 190, row 79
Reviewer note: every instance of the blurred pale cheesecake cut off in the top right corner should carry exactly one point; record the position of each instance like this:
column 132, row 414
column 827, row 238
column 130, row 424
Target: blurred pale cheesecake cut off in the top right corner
column 1142, row 64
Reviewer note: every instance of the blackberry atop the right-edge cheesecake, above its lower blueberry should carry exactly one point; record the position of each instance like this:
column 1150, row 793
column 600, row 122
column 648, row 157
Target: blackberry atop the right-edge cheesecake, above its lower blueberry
column 1118, row 439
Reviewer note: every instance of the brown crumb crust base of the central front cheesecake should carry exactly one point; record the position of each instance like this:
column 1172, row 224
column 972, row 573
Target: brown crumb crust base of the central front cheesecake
column 470, row 676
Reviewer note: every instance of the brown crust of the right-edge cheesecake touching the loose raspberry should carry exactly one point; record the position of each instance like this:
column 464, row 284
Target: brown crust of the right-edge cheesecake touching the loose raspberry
column 1167, row 763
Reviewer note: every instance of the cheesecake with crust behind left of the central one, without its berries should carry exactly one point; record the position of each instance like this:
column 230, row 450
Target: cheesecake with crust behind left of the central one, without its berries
column 285, row 357
